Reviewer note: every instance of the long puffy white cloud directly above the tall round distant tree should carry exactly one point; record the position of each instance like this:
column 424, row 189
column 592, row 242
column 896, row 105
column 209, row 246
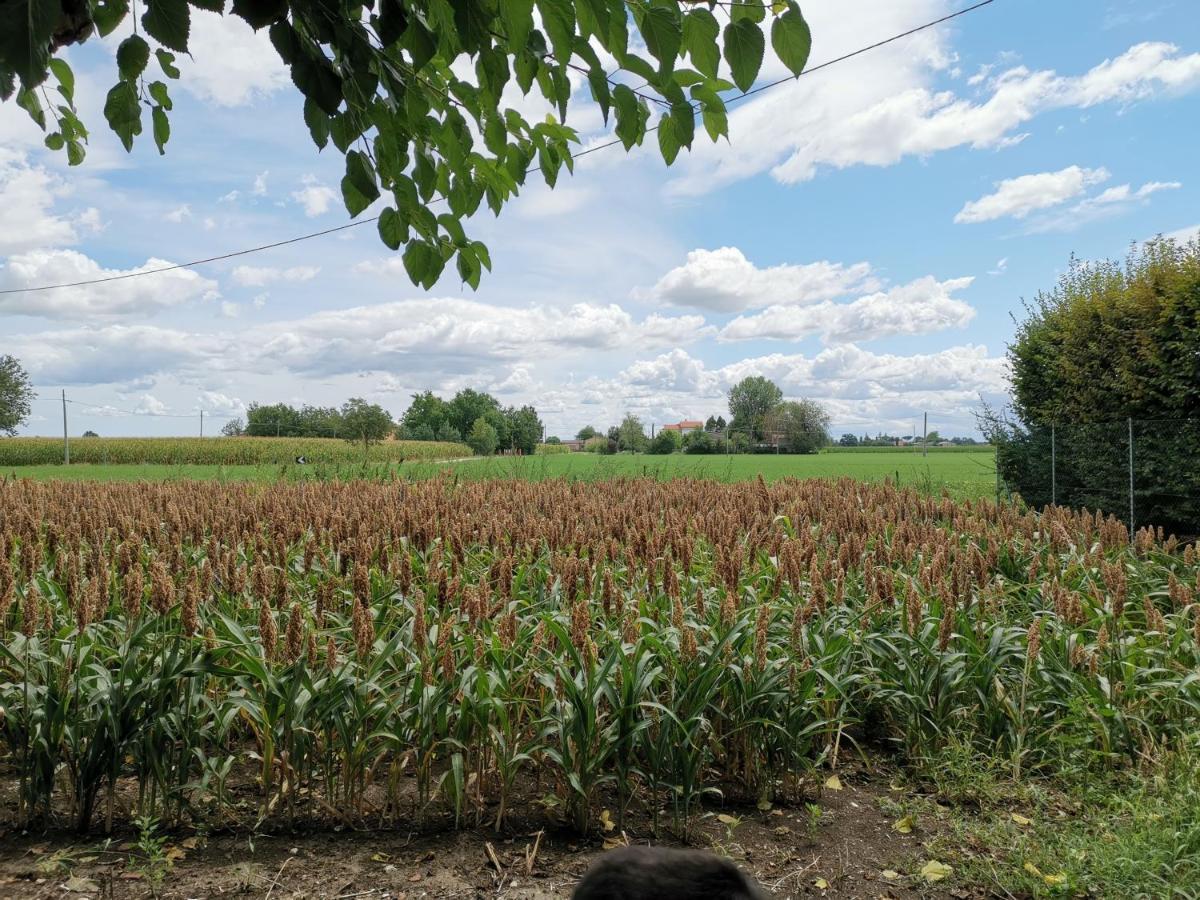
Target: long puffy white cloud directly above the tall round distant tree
column 919, row 308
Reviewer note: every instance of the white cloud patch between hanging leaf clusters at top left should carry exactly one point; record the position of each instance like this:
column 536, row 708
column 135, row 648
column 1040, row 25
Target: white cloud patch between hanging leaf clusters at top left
column 229, row 64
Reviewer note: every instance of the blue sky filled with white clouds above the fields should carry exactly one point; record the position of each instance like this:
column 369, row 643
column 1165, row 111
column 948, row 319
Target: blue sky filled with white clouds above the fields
column 865, row 238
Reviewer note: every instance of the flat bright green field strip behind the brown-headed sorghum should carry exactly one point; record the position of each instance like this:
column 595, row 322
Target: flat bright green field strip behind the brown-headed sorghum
column 963, row 473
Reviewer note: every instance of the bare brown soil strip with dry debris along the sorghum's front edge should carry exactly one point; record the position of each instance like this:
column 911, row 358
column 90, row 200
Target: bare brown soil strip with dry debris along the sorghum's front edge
column 851, row 850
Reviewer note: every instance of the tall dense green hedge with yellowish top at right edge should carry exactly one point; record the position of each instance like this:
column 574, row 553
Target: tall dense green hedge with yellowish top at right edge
column 1112, row 343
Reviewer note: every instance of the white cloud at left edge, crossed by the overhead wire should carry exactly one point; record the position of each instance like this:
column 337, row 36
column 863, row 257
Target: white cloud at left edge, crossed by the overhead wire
column 130, row 297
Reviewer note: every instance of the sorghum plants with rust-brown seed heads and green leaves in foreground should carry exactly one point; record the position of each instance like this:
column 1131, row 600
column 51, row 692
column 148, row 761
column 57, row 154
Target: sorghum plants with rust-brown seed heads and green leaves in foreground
column 371, row 653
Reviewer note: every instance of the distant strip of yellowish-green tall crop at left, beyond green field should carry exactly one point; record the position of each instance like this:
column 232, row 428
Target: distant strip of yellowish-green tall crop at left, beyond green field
column 219, row 452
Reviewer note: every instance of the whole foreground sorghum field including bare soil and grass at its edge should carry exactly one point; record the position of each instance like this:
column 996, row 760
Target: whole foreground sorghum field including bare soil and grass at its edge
column 838, row 683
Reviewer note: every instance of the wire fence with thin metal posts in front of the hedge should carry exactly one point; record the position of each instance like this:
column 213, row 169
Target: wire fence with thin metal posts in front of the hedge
column 1147, row 472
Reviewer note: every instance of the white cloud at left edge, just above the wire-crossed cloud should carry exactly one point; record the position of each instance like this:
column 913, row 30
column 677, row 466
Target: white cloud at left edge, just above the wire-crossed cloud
column 28, row 195
